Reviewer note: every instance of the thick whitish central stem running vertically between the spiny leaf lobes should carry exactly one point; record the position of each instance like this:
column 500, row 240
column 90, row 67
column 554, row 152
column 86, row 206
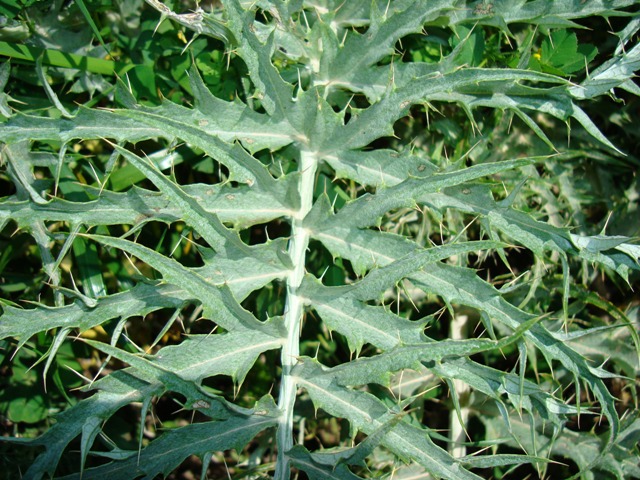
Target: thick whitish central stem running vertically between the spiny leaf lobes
column 293, row 312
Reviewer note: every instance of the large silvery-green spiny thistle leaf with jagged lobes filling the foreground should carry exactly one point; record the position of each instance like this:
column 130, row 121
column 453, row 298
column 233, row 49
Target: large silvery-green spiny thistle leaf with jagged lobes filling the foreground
column 314, row 128
